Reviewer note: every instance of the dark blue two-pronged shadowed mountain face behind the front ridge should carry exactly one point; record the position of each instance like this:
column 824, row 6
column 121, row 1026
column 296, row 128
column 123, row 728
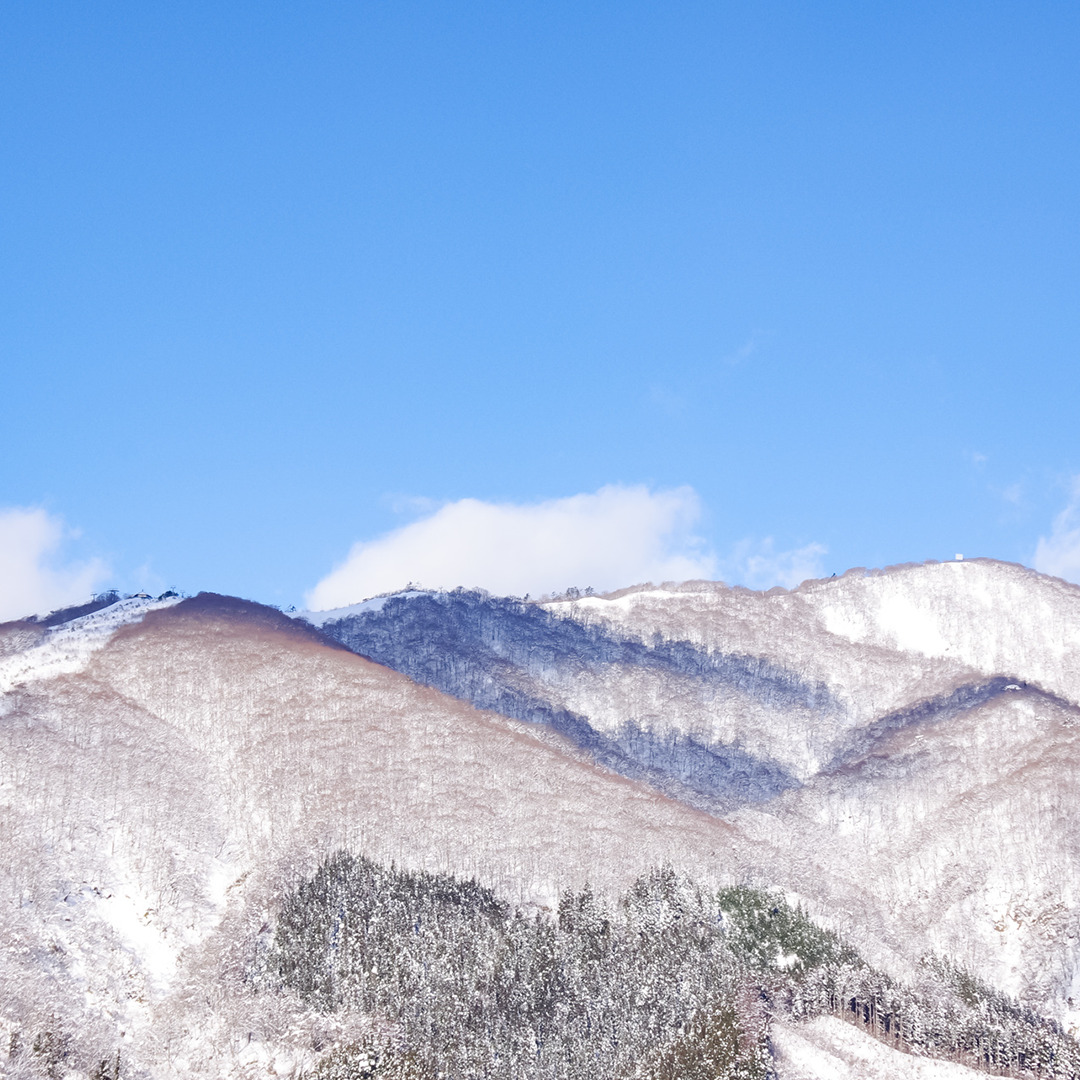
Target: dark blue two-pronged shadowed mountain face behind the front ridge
column 509, row 656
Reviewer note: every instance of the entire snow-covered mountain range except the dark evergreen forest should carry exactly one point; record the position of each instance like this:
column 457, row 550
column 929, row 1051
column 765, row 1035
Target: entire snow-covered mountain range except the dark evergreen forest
column 897, row 751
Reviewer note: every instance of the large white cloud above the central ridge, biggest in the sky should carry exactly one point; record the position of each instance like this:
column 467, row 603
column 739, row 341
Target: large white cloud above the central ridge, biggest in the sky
column 615, row 537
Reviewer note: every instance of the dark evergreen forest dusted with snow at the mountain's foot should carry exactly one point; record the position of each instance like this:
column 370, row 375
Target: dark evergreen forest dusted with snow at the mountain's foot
column 673, row 982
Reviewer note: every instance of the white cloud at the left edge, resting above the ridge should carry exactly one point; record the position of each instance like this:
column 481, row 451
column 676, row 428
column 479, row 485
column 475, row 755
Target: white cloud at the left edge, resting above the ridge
column 31, row 582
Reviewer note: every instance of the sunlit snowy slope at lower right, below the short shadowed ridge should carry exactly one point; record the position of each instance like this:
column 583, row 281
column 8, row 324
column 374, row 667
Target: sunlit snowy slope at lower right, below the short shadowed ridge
column 966, row 839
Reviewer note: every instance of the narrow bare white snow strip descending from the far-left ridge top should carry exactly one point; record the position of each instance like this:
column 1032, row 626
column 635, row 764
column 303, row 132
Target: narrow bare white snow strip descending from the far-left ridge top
column 69, row 649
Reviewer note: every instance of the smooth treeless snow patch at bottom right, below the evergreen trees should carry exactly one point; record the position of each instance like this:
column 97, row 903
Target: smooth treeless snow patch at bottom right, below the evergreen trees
column 828, row 1048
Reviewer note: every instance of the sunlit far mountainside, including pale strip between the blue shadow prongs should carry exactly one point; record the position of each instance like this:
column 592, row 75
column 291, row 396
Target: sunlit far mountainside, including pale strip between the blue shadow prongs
column 880, row 642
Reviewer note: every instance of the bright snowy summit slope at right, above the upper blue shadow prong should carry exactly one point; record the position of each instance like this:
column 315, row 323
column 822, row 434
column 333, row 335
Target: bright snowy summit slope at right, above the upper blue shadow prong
column 927, row 623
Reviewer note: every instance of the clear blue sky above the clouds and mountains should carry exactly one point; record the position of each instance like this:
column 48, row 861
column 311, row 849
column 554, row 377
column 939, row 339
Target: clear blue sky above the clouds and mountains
column 282, row 278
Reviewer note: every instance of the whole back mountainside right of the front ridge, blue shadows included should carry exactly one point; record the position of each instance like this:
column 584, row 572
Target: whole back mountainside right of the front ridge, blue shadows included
column 909, row 733
